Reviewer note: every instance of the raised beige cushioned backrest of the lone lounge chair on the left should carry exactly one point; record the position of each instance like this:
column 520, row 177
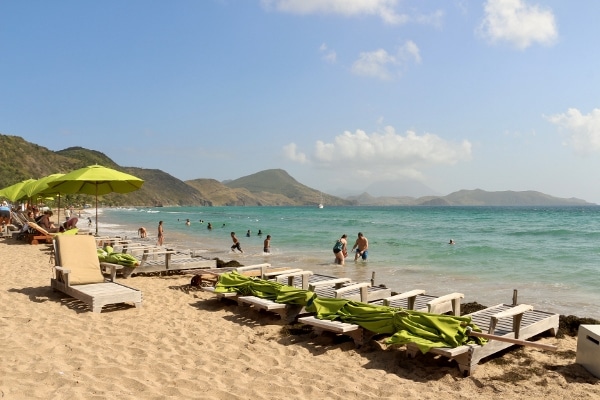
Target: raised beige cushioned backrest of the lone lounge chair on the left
column 78, row 254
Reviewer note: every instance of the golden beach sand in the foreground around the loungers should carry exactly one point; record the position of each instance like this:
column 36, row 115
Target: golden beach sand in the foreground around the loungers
column 184, row 344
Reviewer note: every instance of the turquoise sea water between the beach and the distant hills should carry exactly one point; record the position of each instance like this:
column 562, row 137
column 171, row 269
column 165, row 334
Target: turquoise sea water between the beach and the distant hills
column 551, row 255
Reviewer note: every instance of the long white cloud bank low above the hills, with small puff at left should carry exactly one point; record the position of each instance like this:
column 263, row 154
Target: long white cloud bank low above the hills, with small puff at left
column 388, row 154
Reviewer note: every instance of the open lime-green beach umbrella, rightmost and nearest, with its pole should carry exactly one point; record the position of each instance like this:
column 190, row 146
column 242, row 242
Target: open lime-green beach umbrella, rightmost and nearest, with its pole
column 96, row 180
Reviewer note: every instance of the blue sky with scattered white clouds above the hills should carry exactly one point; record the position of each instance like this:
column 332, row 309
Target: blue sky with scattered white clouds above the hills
column 346, row 96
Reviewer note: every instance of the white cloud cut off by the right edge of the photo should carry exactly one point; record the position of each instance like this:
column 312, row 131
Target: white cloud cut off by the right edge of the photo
column 583, row 130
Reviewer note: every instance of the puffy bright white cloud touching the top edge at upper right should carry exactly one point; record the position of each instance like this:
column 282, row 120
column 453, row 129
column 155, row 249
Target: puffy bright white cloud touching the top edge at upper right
column 518, row 23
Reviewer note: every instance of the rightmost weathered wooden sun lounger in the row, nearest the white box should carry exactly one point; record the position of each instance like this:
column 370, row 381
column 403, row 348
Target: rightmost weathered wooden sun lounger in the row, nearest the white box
column 507, row 321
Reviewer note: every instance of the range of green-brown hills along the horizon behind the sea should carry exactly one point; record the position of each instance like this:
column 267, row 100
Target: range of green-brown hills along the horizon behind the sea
column 20, row 160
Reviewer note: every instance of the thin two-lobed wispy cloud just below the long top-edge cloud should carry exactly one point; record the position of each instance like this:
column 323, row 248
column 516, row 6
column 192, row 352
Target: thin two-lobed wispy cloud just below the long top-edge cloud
column 383, row 65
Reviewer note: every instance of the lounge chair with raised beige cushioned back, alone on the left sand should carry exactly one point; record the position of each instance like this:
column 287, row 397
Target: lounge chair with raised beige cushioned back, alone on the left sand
column 77, row 273
